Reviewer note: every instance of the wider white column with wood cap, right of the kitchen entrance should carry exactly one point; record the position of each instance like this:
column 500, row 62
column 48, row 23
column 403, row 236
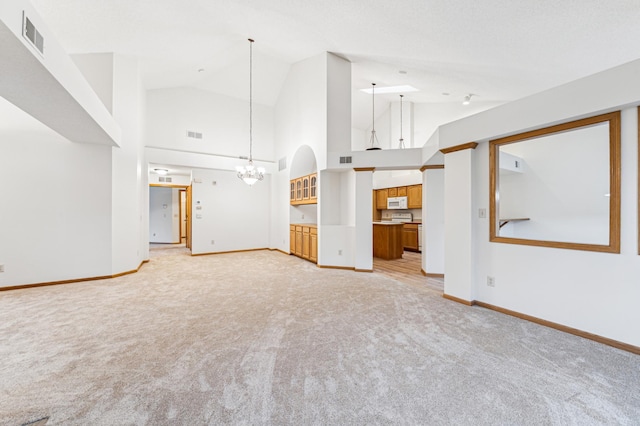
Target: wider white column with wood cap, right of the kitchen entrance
column 458, row 223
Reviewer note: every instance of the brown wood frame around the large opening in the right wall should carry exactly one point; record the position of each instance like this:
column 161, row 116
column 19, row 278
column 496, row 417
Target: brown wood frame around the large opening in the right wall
column 614, row 184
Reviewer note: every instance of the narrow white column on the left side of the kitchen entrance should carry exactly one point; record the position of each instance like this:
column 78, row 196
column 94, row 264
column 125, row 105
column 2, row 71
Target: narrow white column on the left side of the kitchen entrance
column 364, row 215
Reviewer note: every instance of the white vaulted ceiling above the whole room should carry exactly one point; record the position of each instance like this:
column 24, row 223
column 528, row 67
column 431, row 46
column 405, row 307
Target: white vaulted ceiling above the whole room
column 499, row 50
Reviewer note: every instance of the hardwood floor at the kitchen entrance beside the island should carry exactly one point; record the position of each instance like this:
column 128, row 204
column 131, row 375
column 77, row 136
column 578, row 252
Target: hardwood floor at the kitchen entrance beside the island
column 407, row 270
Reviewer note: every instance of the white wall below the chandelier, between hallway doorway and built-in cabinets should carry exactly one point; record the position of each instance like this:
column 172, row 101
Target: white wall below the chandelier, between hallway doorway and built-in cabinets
column 232, row 214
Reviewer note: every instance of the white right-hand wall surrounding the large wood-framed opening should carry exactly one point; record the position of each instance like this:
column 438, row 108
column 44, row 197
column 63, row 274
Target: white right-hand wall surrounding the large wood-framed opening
column 589, row 291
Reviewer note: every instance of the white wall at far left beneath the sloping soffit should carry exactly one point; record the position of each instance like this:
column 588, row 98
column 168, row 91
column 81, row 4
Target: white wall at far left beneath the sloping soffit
column 55, row 218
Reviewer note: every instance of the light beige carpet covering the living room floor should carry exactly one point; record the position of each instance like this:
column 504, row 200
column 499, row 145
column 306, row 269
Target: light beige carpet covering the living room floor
column 265, row 338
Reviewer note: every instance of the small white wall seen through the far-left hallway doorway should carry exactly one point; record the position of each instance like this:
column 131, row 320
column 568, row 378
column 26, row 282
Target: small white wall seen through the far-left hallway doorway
column 164, row 215
